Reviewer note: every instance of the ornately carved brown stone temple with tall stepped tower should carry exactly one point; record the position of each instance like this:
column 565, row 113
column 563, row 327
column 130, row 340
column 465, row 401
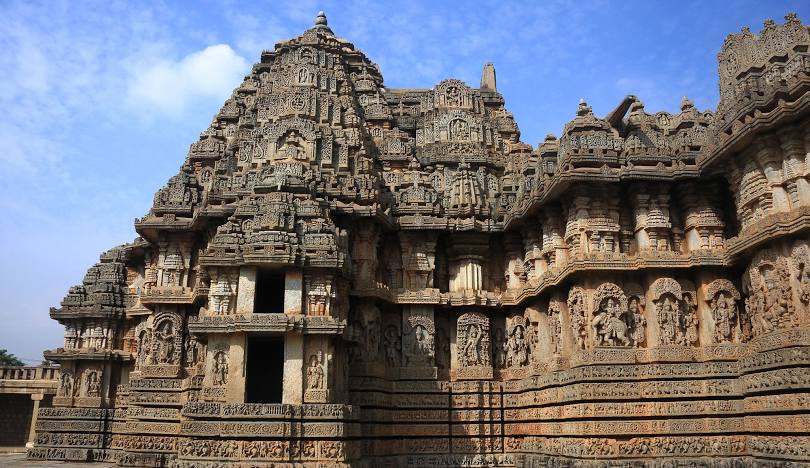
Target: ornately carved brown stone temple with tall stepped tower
column 343, row 274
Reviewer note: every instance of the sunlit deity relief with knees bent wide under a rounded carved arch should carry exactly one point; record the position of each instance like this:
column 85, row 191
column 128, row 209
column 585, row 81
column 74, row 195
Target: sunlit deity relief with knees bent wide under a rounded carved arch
column 608, row 325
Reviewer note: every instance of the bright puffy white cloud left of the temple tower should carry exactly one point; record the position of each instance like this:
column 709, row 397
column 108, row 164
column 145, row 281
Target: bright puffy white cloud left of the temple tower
column 169, row 86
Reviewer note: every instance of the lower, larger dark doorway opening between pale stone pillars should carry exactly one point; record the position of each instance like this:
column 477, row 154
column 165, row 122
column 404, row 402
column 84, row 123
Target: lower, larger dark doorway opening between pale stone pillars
column 265, row 370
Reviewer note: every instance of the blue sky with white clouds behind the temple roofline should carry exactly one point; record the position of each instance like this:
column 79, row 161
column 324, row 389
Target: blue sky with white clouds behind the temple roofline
column 101, row 99
